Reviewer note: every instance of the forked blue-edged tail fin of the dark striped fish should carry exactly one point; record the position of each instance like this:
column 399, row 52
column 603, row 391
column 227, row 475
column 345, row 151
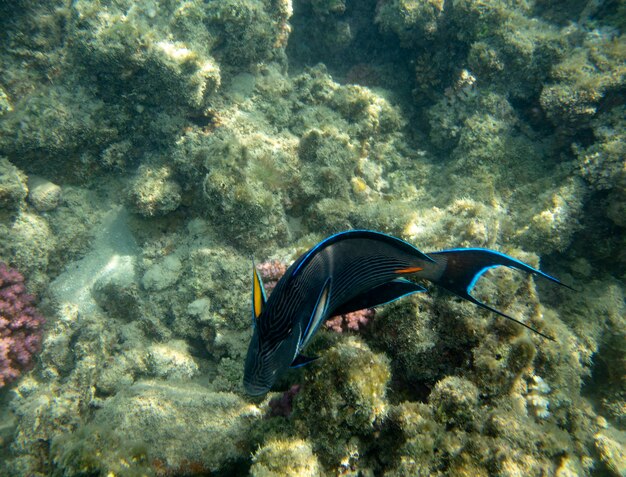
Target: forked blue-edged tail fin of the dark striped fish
column 464, row 266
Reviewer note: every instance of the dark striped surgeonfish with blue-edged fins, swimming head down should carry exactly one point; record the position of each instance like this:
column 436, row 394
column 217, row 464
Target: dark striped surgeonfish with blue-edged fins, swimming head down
column 346, row 272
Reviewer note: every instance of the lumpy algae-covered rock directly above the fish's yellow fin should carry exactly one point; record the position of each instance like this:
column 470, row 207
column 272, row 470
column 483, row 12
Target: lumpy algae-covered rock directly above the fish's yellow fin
column 240, row 181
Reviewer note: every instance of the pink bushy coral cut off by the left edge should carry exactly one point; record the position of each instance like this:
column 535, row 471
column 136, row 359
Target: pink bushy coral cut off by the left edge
column 20, row 326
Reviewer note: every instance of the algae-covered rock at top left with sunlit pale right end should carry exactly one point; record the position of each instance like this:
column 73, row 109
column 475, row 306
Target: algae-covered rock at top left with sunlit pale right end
column 159, row 51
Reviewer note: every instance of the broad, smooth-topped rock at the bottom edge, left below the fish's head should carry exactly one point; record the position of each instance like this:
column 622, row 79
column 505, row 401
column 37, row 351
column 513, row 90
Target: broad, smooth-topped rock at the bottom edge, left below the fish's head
column 161, row 428
